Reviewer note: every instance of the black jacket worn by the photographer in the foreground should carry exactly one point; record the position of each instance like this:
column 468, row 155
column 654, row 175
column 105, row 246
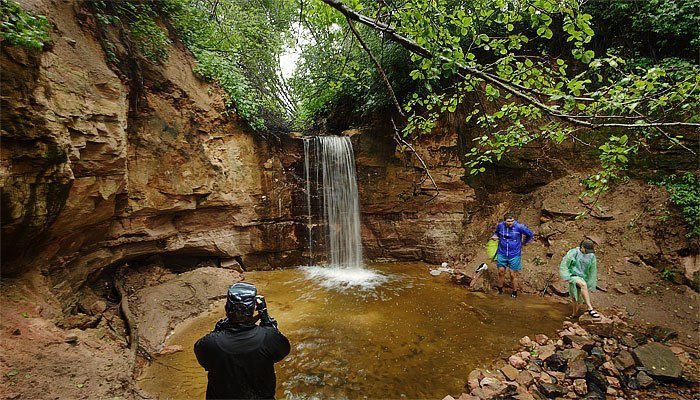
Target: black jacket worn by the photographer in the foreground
column 241, row 360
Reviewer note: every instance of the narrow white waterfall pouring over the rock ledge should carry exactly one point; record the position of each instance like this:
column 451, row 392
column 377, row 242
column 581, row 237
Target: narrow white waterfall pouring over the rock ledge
column 334, row 184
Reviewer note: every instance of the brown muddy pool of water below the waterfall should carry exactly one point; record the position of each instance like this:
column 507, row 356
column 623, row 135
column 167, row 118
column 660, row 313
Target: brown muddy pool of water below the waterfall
column 400, row 333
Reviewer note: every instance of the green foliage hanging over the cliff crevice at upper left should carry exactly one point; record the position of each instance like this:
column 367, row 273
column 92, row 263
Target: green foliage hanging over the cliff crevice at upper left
column 138, row 19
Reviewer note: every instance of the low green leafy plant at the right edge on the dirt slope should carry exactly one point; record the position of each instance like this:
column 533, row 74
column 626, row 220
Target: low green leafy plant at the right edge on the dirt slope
column 684, row 193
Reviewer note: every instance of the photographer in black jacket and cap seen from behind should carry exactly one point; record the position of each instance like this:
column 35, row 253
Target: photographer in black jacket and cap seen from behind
column 240, row 355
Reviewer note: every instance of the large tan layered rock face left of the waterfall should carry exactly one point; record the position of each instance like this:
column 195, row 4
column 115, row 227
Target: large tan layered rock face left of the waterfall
column 94, row 175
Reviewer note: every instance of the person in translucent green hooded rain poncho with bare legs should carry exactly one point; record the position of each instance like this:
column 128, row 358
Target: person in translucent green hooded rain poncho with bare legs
column 579, row 267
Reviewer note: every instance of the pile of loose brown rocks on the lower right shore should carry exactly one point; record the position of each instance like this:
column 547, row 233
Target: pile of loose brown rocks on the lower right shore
column 608, row 358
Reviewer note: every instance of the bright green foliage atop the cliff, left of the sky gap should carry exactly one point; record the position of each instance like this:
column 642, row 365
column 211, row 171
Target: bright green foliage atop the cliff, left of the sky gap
column 237, row 43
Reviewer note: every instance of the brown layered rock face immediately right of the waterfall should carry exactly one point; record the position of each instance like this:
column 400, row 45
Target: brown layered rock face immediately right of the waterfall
column 402, row 218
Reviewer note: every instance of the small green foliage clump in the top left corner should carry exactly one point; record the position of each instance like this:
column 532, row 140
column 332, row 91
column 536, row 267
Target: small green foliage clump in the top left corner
column 20, row 28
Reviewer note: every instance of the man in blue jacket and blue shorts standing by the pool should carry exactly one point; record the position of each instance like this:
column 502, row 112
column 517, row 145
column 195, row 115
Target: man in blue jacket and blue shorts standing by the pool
column 511, row 236
